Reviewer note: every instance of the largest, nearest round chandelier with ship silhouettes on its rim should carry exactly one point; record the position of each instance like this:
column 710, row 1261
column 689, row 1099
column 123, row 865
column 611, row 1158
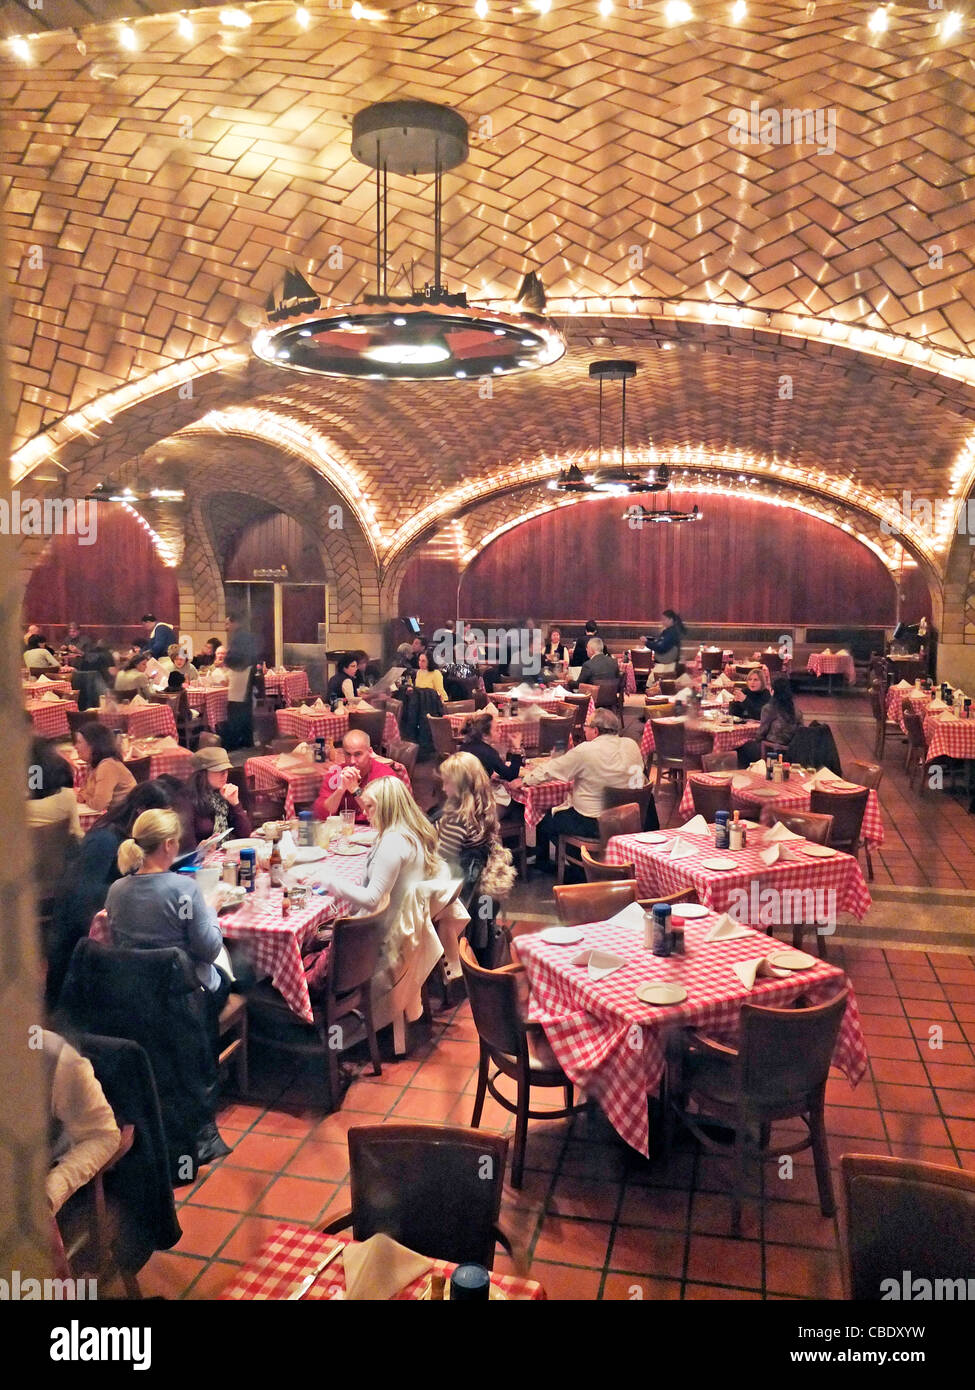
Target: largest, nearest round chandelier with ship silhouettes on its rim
column 429, row 334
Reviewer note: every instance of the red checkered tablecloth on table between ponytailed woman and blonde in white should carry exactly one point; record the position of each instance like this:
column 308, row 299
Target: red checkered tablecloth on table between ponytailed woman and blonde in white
column 275, row 943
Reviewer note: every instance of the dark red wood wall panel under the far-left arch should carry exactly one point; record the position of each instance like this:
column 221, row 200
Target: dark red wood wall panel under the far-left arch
column 108, row 584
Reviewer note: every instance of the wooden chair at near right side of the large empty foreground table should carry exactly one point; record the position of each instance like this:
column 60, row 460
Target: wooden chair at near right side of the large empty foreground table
column 778, row 1072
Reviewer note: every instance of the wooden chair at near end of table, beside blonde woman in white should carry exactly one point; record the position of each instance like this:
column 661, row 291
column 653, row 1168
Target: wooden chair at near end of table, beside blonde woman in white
column 354, row 957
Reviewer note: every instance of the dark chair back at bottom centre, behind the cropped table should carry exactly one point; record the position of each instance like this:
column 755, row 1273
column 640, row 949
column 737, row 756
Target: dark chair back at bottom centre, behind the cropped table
column 429, row 1188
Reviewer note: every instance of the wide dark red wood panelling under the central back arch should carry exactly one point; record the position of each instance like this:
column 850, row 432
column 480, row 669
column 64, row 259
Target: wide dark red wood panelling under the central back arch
column 746, row 562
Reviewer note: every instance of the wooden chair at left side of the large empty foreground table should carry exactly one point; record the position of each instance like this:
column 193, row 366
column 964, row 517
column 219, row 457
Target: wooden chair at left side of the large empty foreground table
column 517, row 1050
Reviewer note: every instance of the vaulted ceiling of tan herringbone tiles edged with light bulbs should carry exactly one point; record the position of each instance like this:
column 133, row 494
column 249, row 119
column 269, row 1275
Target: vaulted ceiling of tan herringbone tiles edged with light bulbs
column 156, row 197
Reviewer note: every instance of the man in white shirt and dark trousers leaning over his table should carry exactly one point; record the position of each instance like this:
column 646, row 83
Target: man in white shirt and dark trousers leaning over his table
column 606, row 761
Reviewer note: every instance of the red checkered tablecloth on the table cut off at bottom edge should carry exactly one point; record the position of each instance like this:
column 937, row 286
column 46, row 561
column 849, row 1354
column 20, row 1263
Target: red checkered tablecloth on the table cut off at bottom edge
column 293, row 1252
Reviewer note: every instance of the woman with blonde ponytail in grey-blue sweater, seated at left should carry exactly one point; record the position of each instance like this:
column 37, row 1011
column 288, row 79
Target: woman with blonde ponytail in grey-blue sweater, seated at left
column 151, row 907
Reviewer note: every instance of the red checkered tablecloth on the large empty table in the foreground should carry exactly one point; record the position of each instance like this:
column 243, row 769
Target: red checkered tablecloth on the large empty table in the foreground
column 614, row 1047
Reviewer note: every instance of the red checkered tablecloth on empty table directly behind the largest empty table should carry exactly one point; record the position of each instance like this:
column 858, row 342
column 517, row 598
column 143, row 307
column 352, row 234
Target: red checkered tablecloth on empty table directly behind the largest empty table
column 659, row 874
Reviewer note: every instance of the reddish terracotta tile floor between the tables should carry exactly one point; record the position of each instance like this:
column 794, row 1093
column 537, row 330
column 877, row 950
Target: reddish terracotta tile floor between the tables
column 599, row 1221
